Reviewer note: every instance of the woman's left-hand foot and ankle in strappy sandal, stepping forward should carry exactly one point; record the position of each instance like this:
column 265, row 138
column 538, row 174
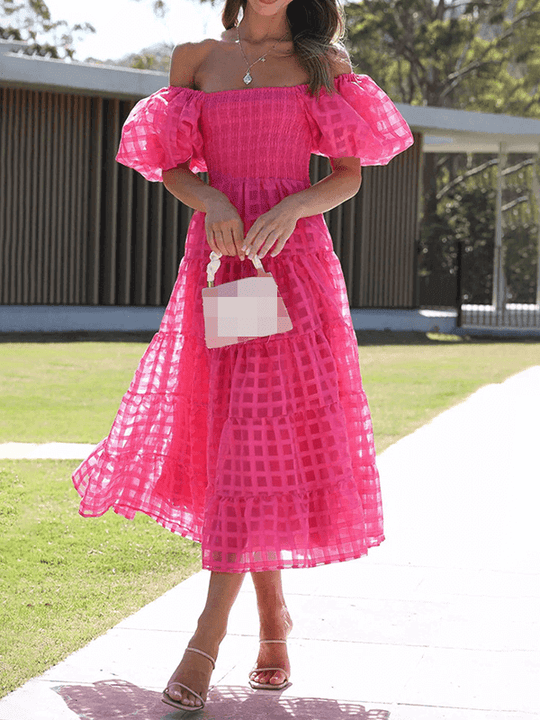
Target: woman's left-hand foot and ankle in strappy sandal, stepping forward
column 195, row 670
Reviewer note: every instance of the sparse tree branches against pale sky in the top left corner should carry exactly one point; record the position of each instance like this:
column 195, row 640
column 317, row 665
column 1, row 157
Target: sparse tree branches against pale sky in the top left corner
column 30, row 21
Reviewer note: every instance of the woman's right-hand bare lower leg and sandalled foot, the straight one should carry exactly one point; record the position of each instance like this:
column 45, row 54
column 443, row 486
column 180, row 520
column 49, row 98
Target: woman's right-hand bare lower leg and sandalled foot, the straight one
column 275, row 624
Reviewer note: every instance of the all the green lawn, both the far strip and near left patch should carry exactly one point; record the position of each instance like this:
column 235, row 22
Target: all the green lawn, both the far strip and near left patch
column 65, row 579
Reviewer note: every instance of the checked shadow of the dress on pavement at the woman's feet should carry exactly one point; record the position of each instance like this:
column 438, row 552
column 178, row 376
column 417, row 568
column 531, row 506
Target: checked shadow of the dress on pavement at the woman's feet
column 119, row 699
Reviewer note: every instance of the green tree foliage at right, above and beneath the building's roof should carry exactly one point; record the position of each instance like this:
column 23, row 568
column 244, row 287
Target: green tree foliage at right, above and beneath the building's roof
column 473, row 55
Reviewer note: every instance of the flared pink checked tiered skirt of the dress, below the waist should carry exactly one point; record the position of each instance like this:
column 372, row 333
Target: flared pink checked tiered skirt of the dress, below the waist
column 261, row 451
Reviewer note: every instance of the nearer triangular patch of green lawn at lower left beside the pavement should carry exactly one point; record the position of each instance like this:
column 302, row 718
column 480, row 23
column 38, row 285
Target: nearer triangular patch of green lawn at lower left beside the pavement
column 67, row 579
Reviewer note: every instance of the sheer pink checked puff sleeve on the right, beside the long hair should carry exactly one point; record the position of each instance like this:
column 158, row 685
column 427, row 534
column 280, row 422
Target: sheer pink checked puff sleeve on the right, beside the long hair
column 361, row 121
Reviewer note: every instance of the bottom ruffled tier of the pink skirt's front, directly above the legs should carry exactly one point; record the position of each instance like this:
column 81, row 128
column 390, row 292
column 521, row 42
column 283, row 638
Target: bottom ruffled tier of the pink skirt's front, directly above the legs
column 325, row 521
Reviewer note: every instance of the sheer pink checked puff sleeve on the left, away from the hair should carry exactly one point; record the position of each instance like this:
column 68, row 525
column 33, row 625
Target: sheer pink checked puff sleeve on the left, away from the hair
column 161, row 132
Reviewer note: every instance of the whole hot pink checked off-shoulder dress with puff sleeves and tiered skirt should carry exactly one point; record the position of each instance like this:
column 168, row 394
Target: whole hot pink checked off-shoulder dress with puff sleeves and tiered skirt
column 263, row 450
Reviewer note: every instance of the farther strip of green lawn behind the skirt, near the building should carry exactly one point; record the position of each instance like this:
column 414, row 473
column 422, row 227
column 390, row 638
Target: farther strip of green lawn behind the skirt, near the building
column 71, row 391
